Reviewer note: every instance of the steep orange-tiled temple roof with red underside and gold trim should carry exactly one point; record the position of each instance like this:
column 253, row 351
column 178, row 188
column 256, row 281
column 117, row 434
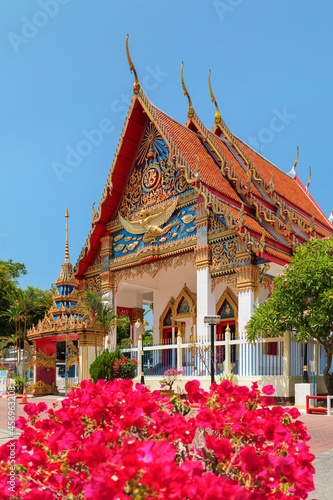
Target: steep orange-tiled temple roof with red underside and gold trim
column 271, row 211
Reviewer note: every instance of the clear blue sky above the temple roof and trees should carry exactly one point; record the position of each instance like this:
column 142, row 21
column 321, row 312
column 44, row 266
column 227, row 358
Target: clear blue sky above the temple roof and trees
column 64, row 73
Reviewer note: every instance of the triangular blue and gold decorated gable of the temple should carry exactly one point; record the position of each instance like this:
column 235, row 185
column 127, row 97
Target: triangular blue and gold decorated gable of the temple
column 158, row 205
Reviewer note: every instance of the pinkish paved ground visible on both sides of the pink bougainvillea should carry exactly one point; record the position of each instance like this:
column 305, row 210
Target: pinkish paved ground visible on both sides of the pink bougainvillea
column 320, row 428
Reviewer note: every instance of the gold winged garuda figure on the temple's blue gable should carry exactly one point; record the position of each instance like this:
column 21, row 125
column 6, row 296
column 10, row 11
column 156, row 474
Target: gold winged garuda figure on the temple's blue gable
column 148, row 221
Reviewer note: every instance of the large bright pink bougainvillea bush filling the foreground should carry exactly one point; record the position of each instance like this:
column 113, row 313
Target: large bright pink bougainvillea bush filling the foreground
column 111, row 441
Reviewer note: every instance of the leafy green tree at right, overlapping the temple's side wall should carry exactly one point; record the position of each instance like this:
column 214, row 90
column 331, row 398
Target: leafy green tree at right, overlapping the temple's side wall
column 302, row 301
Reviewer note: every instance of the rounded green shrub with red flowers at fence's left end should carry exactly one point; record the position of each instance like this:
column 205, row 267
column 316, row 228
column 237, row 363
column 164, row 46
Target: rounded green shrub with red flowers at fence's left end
column 111, row 365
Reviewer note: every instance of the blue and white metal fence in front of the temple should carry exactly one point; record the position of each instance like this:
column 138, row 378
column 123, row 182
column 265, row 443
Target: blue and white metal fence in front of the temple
column 265, row 358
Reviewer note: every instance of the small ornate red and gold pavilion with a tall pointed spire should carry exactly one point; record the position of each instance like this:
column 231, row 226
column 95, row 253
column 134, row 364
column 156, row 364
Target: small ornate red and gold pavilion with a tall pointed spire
column 63, row 322
